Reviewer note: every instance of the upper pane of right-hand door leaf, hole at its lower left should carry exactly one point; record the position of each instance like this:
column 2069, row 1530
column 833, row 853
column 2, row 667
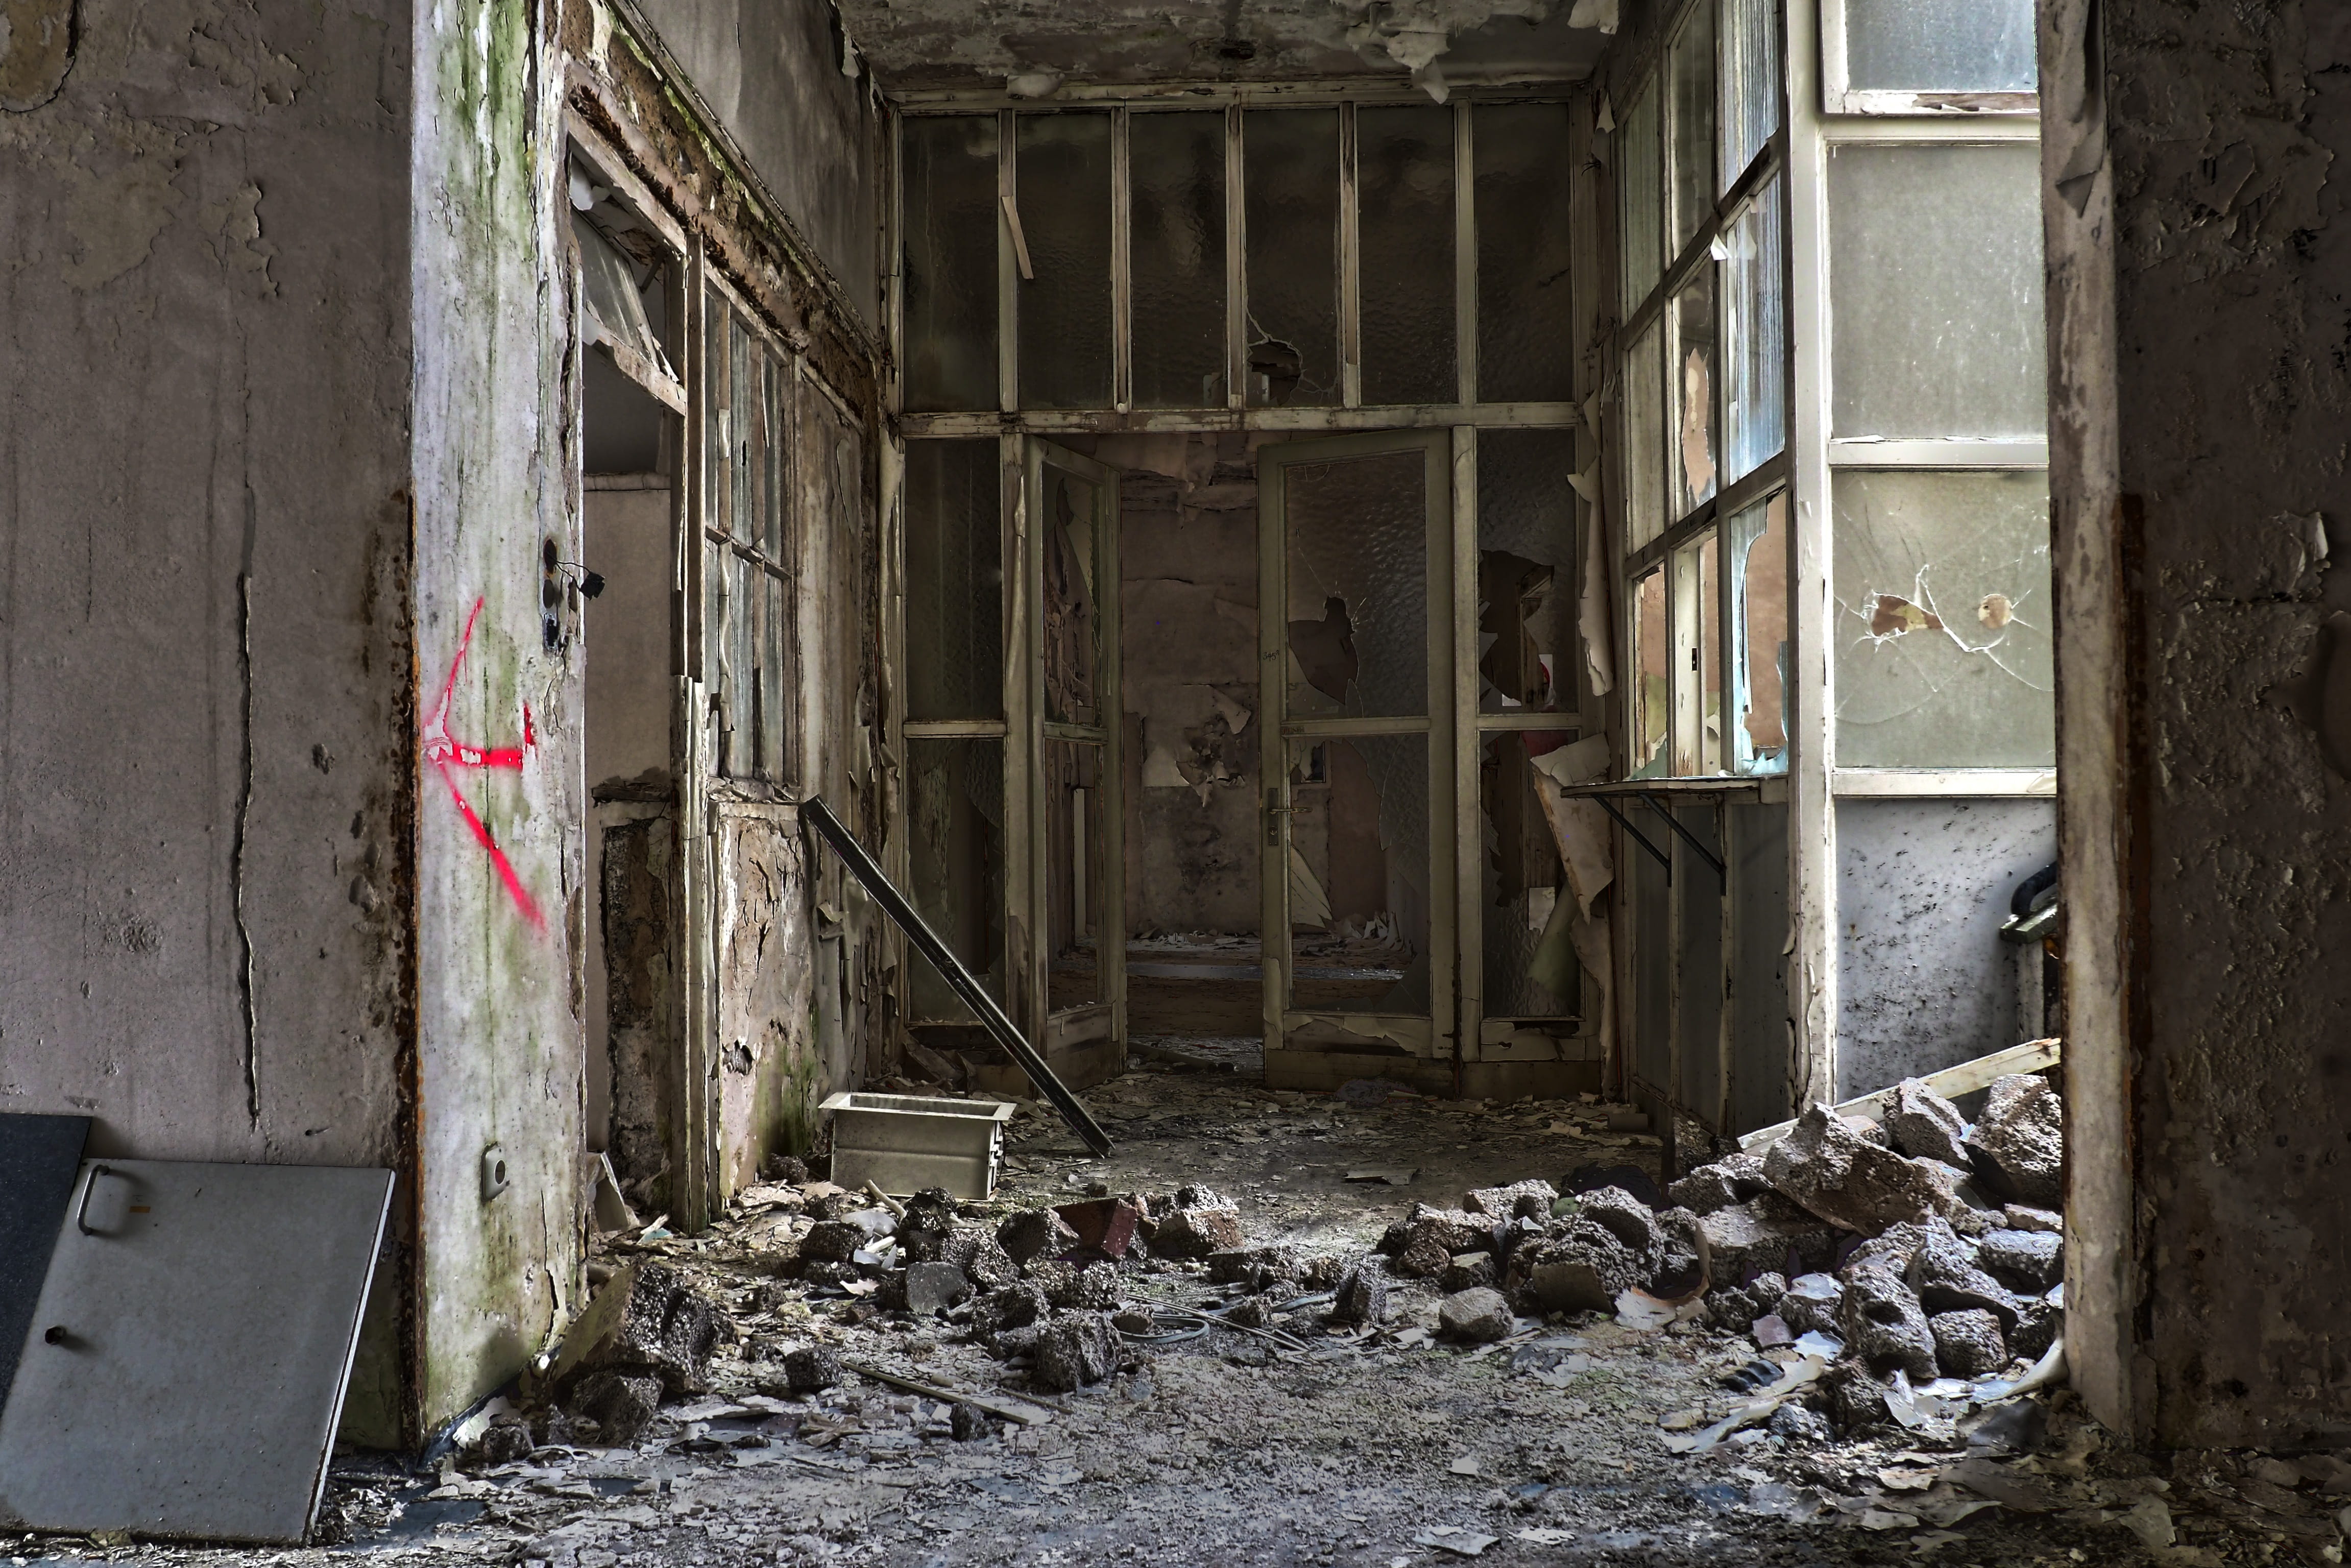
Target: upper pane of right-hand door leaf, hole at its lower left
column 1358, row 537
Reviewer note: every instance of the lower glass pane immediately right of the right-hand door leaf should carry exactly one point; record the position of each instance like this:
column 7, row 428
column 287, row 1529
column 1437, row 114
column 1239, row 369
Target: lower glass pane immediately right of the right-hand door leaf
column 1532, row 967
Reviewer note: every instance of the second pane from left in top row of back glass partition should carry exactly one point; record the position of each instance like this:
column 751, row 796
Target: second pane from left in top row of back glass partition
column 1064, row 182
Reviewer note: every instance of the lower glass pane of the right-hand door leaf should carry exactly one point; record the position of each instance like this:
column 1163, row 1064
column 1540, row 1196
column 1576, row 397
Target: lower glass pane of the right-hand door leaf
column 1367, row 883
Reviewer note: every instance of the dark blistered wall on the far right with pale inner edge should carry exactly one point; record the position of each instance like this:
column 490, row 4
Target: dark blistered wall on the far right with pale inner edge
column 2199, row 389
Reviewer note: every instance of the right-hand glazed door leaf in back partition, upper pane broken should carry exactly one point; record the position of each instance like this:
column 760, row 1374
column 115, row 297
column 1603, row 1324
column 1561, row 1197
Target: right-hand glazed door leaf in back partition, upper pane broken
column 1358, row 657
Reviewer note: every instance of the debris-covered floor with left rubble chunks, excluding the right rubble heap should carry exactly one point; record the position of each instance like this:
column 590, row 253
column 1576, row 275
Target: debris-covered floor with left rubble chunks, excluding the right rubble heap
column 1294, row 1440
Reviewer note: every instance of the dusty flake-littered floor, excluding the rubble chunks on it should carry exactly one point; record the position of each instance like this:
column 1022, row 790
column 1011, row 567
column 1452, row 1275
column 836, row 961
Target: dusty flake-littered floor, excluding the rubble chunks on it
column 1372, row 1452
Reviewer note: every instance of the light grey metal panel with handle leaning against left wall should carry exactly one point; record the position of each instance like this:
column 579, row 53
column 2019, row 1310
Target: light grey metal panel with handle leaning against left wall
column 187, row 1365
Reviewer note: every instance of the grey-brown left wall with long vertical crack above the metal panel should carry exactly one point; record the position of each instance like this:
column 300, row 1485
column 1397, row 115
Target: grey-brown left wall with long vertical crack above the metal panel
column 208, row 770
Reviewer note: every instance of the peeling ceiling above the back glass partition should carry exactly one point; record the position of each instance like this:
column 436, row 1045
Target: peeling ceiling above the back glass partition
column 1040, row 48
